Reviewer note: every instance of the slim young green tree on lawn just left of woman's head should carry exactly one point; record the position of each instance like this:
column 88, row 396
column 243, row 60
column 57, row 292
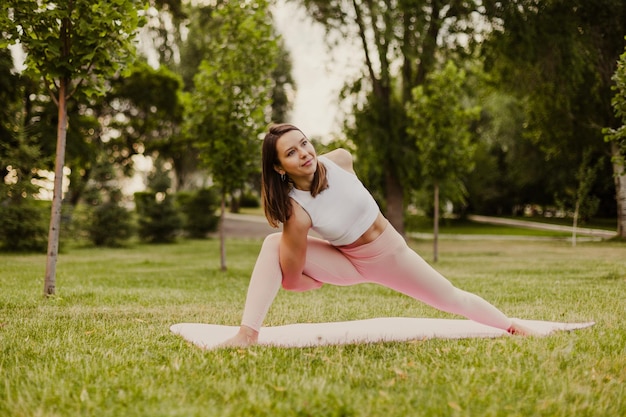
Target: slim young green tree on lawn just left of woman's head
column 232, row 101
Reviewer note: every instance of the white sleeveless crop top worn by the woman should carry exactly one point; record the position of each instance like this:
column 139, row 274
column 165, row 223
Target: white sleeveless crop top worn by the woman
column 342, row 212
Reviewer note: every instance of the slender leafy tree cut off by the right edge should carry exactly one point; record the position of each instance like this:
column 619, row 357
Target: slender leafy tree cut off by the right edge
column 617, row 138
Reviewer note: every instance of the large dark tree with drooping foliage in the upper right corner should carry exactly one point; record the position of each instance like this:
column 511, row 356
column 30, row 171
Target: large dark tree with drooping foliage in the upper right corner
column 559, row 57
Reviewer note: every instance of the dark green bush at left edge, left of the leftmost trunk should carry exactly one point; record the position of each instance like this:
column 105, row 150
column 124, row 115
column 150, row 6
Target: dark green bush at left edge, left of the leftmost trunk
column 24, row 226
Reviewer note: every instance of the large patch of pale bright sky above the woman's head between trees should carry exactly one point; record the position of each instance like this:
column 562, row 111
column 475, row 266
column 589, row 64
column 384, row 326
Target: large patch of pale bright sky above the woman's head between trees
column 319, row 73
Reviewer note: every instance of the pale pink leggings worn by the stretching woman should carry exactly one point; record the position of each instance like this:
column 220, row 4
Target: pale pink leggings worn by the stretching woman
column 387, row 261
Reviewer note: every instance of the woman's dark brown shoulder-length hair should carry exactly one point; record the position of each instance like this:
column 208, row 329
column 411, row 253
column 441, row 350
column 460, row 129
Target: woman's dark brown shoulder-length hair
column 275, row 191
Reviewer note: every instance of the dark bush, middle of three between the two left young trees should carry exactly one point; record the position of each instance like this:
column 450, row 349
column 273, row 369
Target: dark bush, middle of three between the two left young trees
column 158, row 219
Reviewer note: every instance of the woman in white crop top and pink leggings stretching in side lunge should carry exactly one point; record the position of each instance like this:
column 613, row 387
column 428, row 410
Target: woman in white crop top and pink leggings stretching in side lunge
column 359, row 245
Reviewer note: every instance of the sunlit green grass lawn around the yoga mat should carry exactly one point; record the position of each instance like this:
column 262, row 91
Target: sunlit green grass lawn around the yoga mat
column 102, row 347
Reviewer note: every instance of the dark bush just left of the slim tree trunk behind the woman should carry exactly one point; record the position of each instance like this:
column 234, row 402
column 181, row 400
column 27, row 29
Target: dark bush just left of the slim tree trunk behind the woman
column 198, row 209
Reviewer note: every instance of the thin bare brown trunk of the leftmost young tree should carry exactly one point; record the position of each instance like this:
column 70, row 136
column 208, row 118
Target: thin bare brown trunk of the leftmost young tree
column 57, row 197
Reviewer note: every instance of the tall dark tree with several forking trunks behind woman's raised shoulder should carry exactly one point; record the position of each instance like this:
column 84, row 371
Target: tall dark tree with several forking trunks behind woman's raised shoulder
column 402, row 34
